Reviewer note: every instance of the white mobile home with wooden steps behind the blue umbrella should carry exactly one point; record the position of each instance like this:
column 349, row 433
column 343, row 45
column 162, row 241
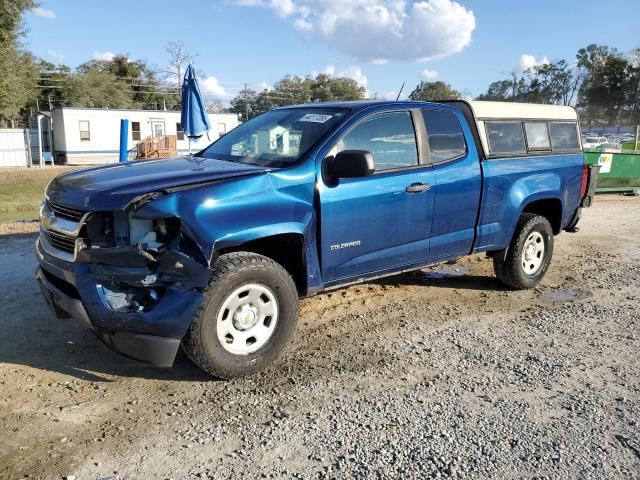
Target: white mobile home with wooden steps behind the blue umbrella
column 92, row 135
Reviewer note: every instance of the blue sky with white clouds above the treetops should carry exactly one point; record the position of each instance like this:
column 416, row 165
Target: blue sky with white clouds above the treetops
column 380, row 43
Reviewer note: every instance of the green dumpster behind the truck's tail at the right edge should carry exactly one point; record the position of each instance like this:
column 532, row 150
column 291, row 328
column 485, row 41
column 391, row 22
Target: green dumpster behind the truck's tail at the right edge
column 619, row 172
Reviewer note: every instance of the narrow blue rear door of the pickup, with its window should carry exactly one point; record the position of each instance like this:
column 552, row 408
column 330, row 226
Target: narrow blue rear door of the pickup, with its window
column 457, row 187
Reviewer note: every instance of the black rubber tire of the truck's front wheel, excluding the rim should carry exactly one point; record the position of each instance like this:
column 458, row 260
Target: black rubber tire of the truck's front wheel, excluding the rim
column 230, row 272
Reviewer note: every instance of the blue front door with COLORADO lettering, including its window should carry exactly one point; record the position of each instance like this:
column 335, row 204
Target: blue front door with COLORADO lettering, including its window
column 383, row 221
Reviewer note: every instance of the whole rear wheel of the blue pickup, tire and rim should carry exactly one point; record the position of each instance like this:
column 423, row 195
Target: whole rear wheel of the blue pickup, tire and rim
column 529, row 254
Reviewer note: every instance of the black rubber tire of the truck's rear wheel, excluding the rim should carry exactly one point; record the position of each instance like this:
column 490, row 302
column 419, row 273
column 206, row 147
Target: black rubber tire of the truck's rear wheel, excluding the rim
column 509, row 268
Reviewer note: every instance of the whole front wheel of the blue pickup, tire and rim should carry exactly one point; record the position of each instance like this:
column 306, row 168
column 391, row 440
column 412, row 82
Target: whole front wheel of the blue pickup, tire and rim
column 248, row 317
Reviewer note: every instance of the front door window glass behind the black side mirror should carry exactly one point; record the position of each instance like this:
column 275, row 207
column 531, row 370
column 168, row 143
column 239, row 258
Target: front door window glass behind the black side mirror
column 388, row 136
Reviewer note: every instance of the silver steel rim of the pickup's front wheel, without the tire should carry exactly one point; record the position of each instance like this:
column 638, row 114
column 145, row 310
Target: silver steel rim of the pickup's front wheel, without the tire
column 247, row 319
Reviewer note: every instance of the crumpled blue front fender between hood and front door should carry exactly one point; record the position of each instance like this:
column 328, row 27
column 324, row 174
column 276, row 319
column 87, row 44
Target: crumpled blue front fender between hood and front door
column 233, row 212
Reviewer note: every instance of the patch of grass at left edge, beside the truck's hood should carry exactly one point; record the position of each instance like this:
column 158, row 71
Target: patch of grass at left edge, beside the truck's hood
column 21, row 192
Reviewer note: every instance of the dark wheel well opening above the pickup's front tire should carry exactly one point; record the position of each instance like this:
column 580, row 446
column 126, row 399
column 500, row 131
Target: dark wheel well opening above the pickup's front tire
column 287, row 249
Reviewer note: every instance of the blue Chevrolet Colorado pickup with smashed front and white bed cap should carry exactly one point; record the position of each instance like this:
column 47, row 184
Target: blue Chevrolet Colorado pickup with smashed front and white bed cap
column 213, row 251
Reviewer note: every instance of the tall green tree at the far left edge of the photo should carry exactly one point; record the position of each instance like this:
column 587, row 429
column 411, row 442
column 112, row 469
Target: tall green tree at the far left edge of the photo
column 18, row 71
